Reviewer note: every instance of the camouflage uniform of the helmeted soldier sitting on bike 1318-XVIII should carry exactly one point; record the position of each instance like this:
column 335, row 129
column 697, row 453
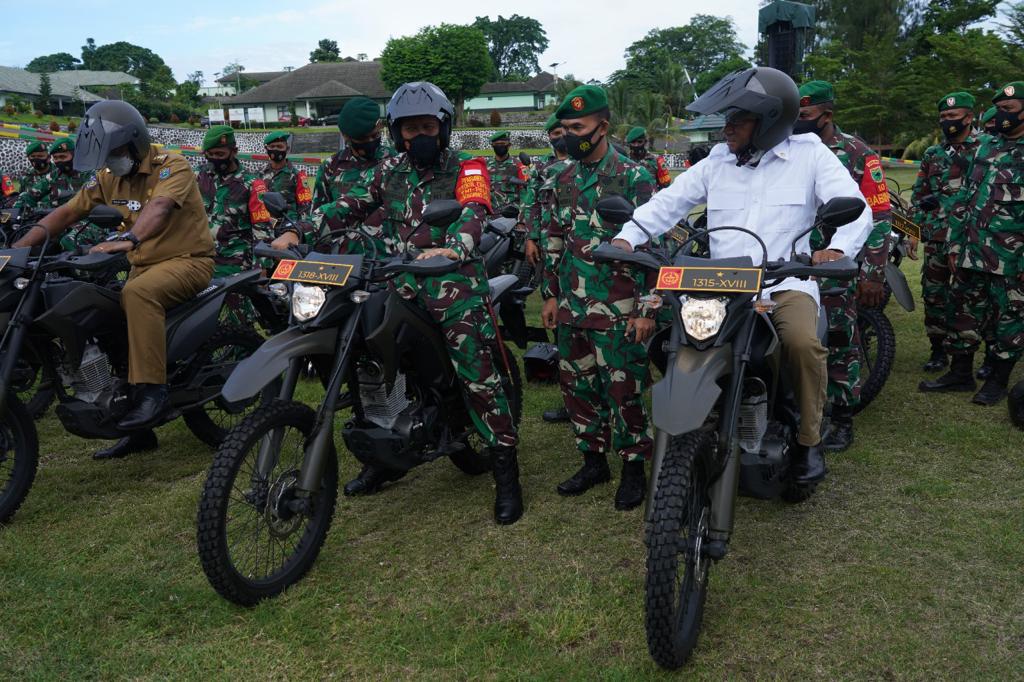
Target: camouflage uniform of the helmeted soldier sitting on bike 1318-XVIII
column 390, row 206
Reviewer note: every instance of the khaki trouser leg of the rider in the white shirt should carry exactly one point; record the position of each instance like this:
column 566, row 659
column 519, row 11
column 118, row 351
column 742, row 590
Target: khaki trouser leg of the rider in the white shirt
column 796, row 320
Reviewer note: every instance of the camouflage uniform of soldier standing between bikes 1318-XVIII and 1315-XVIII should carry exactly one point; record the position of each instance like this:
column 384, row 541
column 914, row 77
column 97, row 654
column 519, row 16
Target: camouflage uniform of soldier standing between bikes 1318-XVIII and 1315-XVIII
column 602, row 372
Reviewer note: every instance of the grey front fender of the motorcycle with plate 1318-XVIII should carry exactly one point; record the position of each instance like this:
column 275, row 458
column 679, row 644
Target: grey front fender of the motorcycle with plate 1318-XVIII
column 255, row 372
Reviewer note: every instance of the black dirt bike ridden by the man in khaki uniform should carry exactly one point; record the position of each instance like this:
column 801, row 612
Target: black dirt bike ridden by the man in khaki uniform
column 69, row 322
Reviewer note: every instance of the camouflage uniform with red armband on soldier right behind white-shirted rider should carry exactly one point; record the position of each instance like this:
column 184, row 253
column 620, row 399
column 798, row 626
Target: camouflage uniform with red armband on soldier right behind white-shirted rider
column 844, row 338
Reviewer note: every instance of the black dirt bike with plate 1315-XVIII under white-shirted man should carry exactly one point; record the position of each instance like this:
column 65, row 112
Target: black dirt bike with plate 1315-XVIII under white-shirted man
column 724, row 417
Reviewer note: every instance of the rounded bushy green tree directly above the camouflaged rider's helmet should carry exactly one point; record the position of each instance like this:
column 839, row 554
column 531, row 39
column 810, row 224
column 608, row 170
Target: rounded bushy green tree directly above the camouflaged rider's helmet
column 453, row 58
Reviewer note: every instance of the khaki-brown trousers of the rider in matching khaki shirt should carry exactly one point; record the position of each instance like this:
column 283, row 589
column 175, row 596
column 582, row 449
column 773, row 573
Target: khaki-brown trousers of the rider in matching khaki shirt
column 148, row 294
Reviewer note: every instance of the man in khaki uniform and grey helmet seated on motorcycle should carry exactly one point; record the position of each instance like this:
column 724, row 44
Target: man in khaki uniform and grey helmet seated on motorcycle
column 165, row 235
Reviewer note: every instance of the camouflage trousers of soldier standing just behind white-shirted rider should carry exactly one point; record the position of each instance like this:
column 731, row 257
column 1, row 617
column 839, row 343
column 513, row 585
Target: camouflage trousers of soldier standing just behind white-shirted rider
column 843, row 344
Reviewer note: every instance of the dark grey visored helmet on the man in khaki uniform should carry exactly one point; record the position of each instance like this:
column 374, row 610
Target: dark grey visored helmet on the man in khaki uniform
column 107, row 126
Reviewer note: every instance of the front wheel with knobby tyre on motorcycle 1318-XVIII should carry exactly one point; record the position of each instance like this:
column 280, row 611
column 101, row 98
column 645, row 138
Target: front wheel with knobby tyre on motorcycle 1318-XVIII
column 258, row 534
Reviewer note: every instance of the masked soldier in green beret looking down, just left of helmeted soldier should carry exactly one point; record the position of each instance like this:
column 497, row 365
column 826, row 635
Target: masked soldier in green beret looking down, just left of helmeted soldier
column 360, row 123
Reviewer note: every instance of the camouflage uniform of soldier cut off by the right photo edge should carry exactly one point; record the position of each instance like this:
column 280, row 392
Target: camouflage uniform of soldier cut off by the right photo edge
column 987, row 236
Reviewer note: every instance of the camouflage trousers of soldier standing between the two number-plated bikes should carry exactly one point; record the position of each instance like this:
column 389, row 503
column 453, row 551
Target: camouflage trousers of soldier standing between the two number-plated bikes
column 604, row 376
